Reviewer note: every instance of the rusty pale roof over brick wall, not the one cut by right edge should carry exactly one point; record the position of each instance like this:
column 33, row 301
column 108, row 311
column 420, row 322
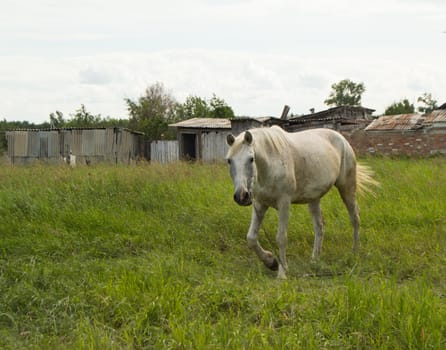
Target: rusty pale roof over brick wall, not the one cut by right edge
column 397, row 122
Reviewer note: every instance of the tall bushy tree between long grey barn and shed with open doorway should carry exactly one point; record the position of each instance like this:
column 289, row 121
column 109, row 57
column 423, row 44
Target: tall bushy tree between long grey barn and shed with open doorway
column 152, row 112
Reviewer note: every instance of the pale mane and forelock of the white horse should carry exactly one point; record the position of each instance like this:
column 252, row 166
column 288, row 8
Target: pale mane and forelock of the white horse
column 269, row 141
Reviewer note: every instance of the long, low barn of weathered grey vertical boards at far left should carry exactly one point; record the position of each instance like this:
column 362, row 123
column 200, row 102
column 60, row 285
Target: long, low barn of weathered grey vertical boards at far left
column 74, row 145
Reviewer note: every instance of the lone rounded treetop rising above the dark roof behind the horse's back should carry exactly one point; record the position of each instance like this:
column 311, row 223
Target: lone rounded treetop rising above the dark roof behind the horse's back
column 345, row 93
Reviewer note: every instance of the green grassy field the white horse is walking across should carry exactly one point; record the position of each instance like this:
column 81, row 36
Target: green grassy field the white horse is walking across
column 155, row 256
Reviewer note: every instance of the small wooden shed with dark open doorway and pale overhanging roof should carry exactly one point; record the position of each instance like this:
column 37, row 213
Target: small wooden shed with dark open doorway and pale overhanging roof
column 202, row 138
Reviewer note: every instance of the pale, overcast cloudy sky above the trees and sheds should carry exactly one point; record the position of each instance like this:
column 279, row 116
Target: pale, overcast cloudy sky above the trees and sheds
column 257, row 55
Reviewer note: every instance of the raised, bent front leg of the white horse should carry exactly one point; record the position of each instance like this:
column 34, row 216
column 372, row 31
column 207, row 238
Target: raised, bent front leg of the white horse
column 258, row 213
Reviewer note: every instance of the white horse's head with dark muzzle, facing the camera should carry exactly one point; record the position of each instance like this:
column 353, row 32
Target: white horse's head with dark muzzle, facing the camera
column 240, row 158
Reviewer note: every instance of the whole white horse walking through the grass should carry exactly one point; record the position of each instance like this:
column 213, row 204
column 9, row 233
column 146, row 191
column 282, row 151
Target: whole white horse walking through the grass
column 273, row 168
